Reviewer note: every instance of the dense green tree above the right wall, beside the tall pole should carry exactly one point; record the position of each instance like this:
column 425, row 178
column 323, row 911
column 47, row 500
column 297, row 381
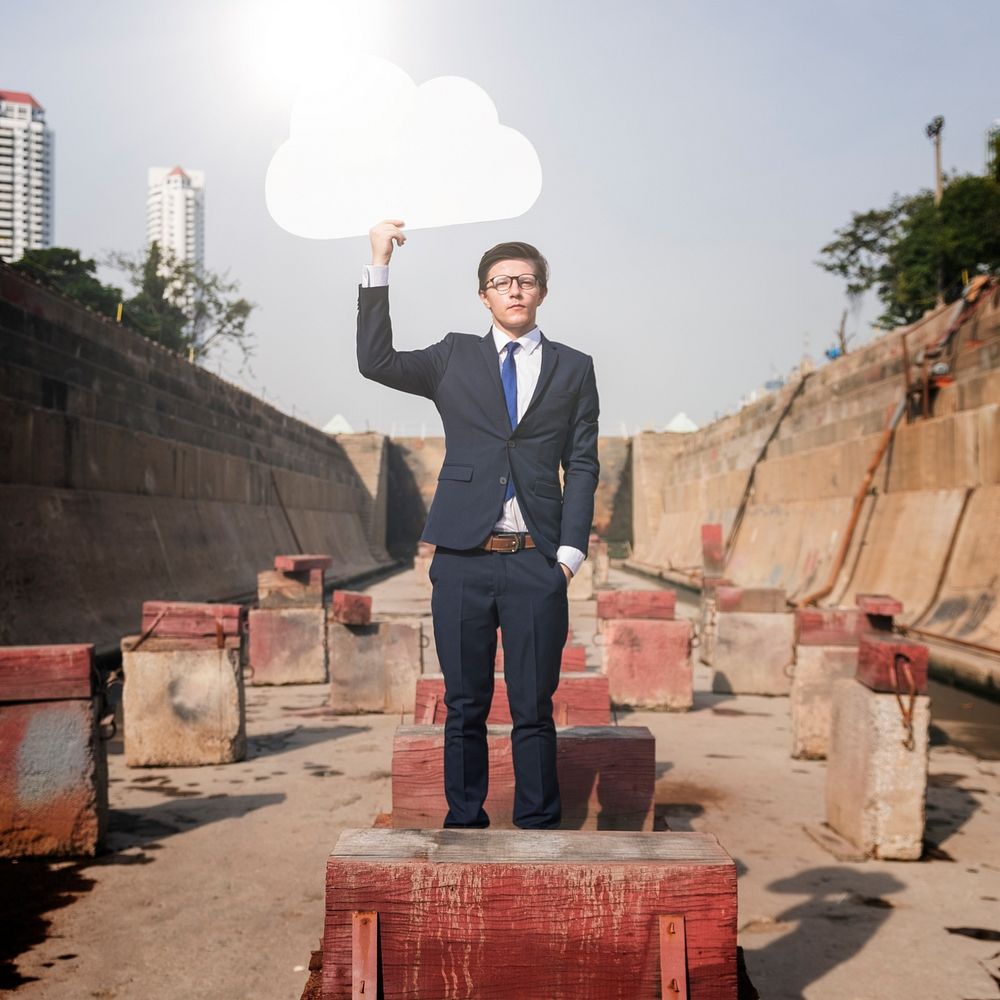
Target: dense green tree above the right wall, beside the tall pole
column 901, row 250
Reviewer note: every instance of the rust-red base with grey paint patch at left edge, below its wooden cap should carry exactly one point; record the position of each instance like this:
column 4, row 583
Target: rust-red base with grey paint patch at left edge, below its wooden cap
column 53, row 778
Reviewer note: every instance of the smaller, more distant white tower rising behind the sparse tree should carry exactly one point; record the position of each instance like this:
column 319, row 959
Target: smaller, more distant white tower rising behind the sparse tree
column 175, row 212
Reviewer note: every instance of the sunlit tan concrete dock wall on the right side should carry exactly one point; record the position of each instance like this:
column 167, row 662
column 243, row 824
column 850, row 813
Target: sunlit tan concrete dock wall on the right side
column 929, row 526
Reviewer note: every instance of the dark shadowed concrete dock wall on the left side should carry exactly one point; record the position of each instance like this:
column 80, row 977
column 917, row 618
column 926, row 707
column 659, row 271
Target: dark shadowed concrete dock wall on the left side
column 127, row 474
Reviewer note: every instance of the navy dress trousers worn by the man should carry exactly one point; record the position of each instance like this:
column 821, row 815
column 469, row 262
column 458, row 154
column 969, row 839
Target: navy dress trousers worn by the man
column 524, row 593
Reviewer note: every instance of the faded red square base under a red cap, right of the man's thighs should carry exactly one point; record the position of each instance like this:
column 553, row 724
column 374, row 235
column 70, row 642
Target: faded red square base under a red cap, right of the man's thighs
column 648, row 663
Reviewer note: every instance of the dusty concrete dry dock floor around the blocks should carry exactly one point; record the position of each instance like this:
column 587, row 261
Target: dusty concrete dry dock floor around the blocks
column 213, row 884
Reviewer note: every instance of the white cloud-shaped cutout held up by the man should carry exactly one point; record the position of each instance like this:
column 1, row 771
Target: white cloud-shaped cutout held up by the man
column 373, row 145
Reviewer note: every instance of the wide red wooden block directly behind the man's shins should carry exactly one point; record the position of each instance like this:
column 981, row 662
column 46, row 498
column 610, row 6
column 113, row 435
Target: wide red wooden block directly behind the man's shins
column 606, row 777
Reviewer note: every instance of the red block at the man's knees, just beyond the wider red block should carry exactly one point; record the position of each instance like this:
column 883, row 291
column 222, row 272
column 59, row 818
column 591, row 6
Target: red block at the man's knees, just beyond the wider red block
column 581, row 700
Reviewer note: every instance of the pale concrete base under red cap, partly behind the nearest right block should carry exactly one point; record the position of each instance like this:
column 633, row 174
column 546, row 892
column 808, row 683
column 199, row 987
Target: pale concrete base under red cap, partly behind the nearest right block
column 817, row 669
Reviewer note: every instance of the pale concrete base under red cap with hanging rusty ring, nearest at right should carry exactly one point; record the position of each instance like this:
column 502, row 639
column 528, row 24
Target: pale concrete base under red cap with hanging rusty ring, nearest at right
column 876, row 786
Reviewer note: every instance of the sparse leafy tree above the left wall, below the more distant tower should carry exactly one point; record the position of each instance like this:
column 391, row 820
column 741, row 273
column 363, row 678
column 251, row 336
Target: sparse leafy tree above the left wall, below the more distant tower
column 187, row 309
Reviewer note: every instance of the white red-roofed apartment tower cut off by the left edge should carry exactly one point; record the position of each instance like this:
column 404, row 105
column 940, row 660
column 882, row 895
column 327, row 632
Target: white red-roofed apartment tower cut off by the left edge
column 25, row 176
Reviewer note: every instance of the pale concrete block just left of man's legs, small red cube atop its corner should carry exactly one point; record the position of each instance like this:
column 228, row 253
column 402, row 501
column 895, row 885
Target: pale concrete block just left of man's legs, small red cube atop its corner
column 374, row 668
